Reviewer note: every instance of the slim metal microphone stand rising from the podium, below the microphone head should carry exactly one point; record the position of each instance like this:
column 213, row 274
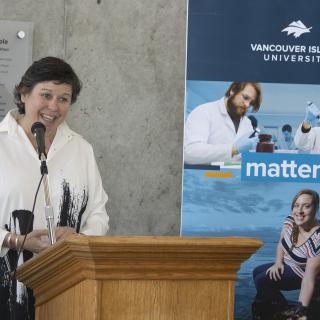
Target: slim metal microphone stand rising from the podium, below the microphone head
column 48, row 206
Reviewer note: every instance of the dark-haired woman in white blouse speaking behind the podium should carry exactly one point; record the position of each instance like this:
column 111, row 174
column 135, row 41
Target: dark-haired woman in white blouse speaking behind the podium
column 45, row 94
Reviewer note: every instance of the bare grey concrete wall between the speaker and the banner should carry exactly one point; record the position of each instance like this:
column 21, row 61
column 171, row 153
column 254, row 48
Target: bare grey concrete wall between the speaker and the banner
column 130, row 55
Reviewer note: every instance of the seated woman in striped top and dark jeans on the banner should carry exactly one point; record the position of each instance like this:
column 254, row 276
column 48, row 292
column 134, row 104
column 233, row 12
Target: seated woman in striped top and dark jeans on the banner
column 297, row 259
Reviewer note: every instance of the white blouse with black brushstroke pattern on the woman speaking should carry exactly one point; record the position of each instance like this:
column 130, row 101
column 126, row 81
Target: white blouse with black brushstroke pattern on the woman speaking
column 75, row 186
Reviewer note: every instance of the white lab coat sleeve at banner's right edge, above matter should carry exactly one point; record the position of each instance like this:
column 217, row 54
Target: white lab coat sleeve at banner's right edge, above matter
column 309, row 141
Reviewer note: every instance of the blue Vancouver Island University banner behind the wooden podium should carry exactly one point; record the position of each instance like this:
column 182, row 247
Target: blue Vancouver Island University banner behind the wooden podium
column 252, row 145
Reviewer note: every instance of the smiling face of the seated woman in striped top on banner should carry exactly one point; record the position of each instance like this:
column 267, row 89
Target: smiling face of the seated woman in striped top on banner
column 303, row 211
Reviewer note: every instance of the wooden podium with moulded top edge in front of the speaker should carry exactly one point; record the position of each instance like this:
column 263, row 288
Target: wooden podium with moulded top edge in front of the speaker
column 138, row 278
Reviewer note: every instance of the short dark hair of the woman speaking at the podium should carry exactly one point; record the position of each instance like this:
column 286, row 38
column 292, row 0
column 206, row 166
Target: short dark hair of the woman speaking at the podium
column 46, row 69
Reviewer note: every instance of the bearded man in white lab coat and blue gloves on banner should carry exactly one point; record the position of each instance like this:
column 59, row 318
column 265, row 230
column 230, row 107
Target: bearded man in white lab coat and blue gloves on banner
column 220, row 130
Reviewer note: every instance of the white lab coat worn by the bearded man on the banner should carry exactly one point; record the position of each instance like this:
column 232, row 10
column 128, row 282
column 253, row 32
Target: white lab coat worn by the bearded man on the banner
column 210, row 134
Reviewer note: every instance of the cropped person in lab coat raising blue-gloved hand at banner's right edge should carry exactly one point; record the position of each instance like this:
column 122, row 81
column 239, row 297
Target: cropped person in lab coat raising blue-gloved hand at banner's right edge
column 307, row 138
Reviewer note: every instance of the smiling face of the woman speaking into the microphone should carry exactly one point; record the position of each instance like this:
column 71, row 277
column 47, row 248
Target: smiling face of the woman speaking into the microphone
column 47, row 103
